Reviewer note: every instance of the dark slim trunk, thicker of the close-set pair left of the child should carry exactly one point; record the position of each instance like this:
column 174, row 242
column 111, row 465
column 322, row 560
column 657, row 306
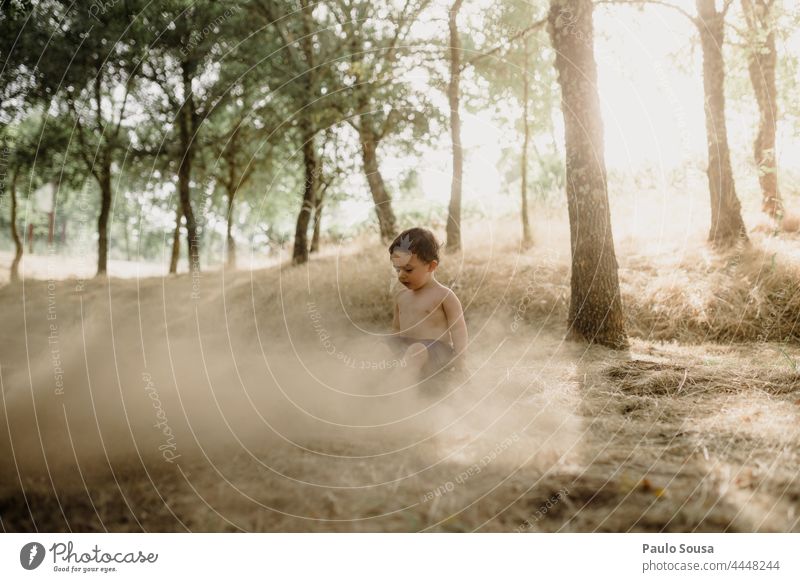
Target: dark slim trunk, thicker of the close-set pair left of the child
column 186, row 122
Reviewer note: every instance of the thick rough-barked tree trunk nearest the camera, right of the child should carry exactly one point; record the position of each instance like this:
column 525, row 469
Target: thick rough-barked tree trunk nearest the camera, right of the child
column 595, row 310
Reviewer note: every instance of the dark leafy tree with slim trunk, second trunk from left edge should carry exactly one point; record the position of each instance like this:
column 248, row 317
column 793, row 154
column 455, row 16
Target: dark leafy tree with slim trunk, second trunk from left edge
column 87, row 69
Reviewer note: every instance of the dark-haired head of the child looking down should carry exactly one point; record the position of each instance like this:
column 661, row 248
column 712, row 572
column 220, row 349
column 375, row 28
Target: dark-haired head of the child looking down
column 415, row 256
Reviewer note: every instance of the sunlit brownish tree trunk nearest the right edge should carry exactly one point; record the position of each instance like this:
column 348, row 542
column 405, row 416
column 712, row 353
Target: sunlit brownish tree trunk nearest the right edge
column 762, row 58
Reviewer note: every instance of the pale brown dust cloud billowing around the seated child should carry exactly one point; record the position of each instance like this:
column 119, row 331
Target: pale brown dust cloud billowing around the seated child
column 129, row 370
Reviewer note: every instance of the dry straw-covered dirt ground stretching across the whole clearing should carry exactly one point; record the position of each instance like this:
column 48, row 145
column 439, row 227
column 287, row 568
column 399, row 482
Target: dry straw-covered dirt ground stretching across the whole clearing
column 257, row 401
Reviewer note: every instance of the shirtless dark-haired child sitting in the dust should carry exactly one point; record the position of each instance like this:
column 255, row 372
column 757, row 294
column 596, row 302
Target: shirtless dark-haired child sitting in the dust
column 430, row 332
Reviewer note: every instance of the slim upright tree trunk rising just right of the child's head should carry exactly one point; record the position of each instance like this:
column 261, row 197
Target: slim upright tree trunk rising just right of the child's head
column 453, row 95
